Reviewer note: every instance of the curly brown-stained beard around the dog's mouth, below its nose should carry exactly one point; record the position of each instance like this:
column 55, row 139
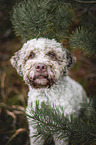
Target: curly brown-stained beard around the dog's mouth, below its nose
column 42, row 79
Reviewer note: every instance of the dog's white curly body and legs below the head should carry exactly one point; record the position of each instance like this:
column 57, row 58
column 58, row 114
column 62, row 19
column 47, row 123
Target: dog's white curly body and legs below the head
column 61, row 94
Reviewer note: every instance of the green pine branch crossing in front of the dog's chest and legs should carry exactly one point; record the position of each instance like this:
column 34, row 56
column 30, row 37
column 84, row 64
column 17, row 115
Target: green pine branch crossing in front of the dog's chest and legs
column 49, row 120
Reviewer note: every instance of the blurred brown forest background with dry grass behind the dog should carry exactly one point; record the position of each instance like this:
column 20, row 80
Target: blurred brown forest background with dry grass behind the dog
column 13, row 91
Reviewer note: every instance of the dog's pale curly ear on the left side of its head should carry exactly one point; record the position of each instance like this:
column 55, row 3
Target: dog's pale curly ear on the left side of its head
column 16, row 62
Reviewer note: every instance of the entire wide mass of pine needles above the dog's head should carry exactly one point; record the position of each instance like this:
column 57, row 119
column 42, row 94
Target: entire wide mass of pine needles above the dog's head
column 40, row 19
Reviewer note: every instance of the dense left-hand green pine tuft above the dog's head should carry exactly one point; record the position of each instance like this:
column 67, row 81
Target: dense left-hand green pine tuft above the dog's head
column 28, row 19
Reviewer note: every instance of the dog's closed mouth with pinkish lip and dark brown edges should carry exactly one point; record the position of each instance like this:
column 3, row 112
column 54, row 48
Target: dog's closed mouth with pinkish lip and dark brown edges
column 41, row 81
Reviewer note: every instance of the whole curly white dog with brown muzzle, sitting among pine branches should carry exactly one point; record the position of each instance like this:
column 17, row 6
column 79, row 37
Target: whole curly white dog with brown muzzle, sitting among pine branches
column 43, row 63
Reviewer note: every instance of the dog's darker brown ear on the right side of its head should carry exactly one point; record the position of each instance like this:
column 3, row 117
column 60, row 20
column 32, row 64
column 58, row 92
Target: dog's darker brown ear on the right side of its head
column 70, row 59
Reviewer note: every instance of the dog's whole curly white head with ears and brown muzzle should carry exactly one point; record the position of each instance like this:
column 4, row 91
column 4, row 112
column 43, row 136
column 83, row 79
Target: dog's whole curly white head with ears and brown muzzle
column 42, row 62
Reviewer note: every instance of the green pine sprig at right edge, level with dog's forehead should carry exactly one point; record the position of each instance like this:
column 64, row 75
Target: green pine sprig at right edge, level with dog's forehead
column 84, row 39
